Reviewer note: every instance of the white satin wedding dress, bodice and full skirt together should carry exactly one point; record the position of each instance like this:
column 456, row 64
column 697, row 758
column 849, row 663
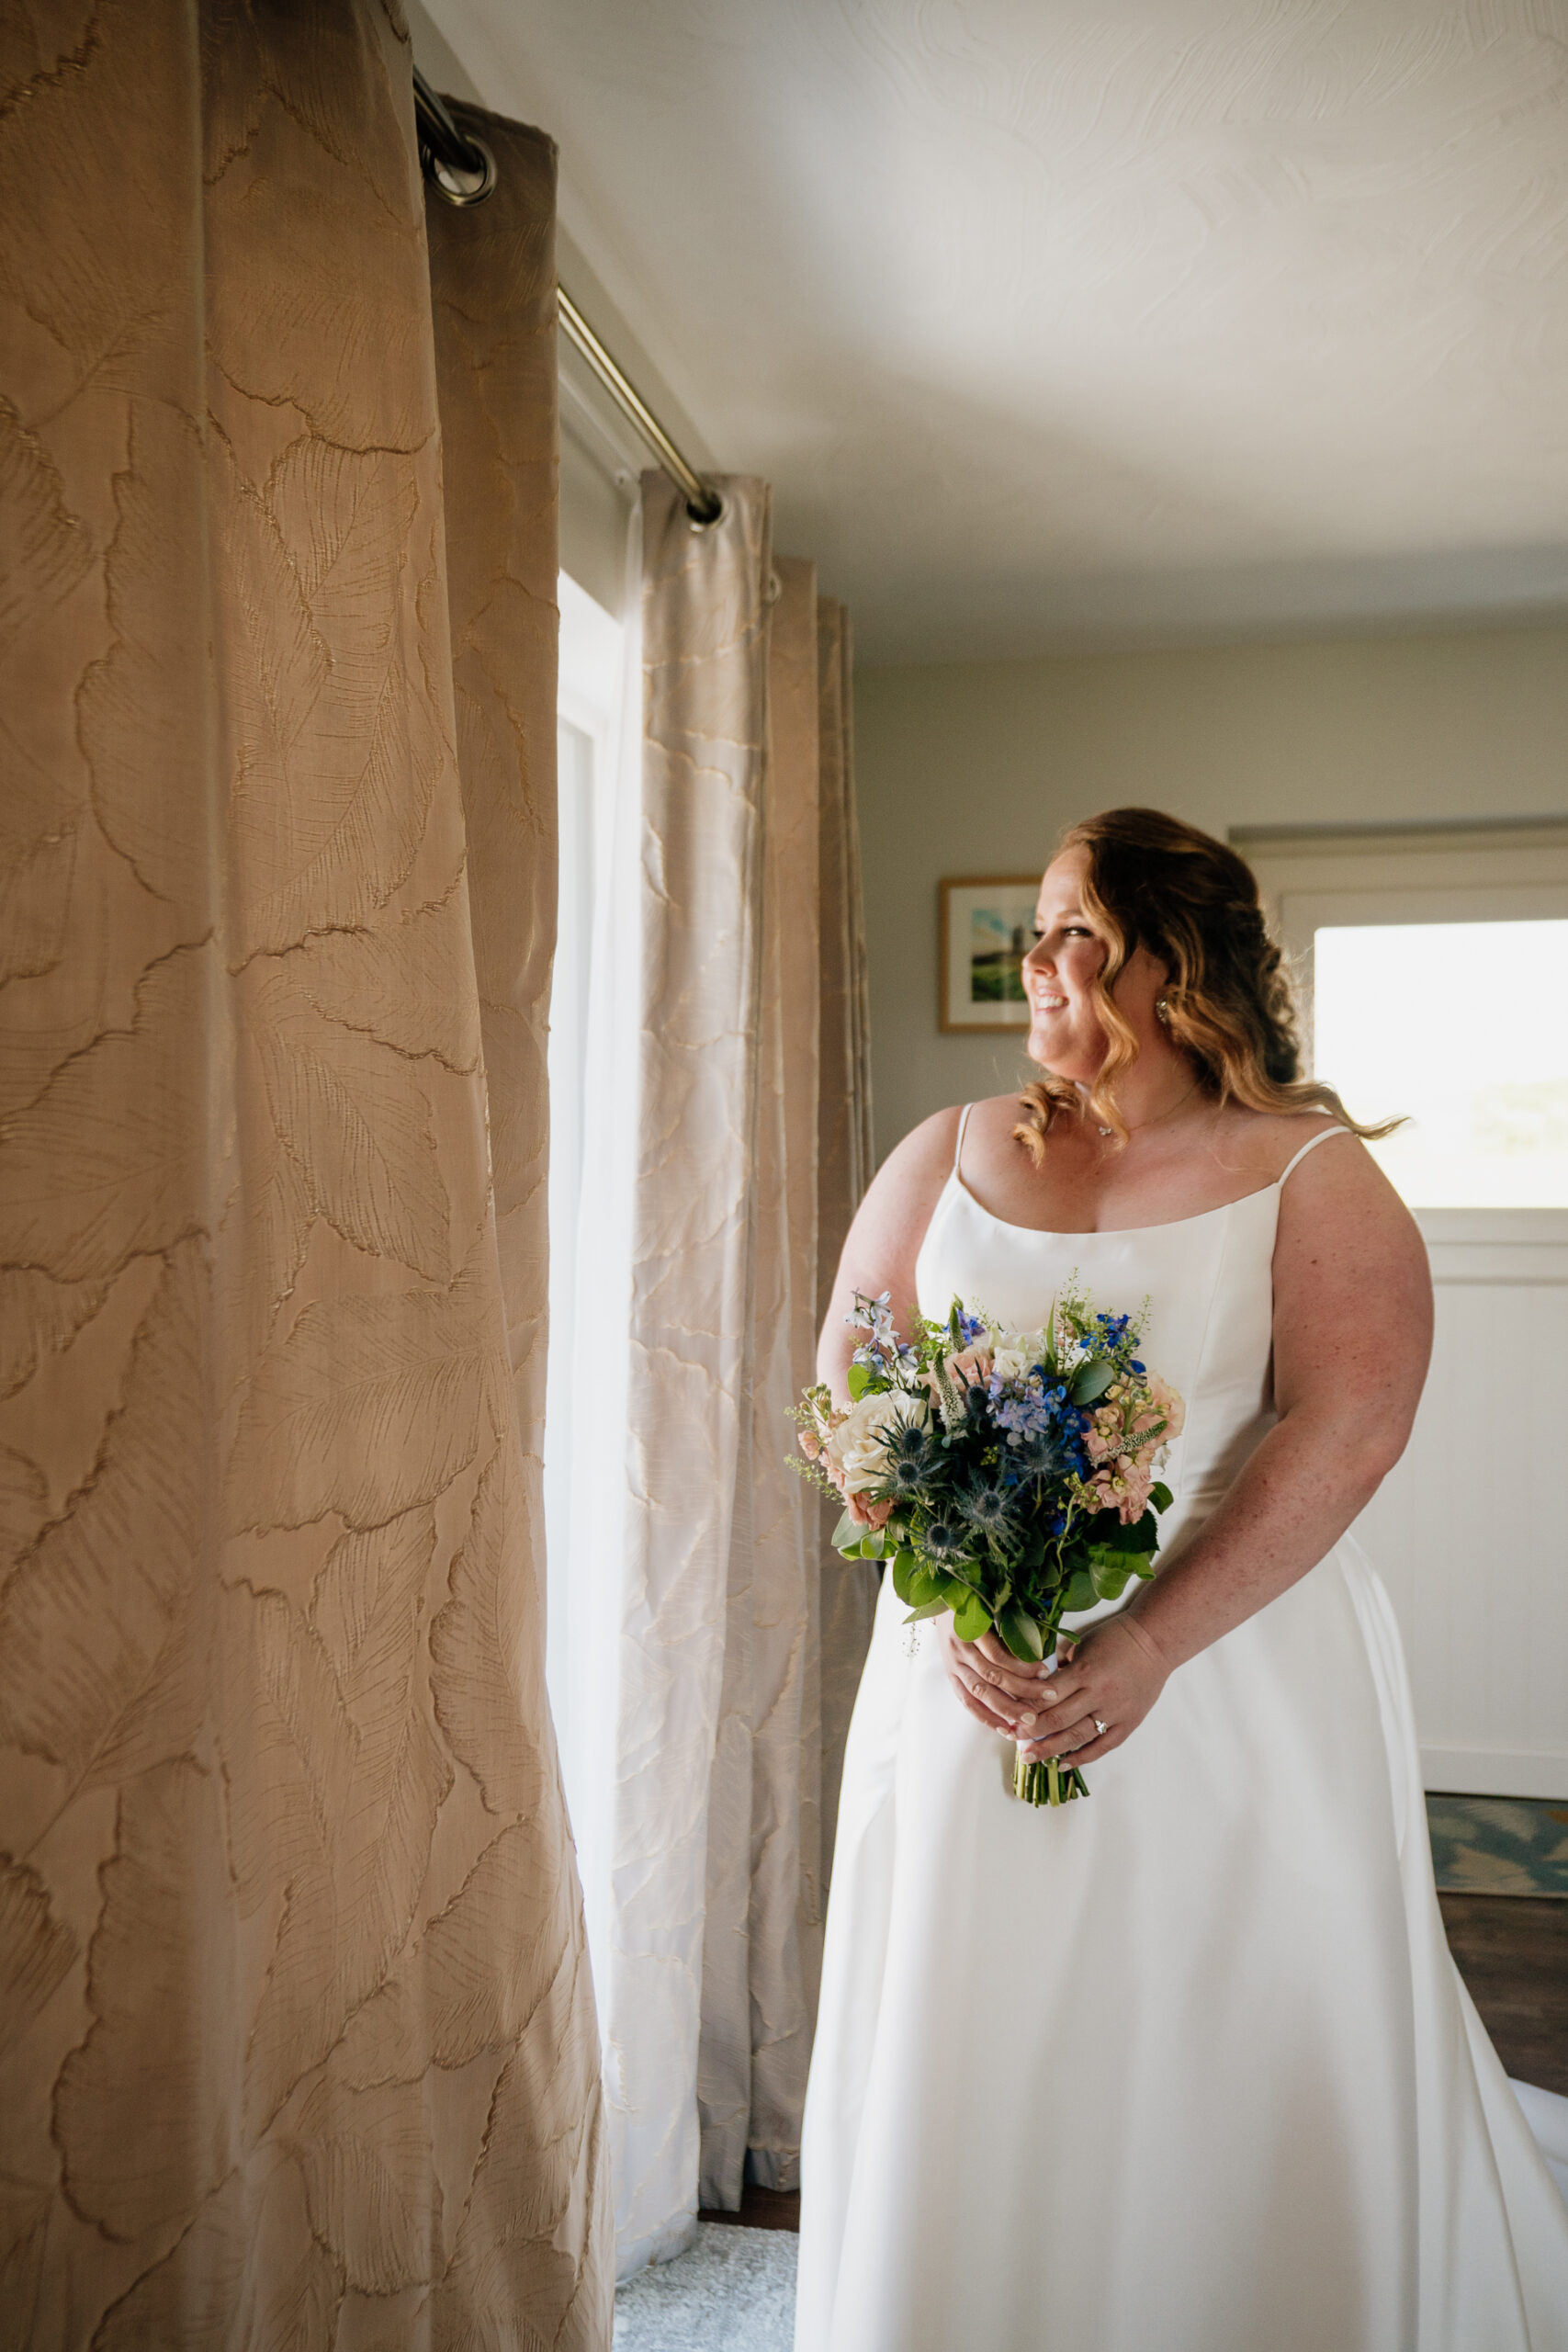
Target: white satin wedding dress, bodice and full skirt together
column 1184, row 2066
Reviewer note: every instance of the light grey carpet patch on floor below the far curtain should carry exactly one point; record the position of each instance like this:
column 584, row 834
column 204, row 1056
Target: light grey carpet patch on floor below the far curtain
column 732, row 2292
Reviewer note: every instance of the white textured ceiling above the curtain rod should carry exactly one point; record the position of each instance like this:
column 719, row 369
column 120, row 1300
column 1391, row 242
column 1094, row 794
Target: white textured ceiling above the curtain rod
column 1090, row 321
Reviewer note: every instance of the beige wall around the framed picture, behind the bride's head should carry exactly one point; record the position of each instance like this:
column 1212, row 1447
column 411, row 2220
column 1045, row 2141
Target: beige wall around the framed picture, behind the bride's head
column 977, row 768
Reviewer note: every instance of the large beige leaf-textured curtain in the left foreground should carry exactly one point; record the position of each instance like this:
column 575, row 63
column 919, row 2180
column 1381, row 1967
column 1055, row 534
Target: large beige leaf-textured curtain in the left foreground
column 300, row 2040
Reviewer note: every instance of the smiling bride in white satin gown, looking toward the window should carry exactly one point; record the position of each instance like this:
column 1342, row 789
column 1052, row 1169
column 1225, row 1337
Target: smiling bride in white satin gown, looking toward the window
column 1186, row 2066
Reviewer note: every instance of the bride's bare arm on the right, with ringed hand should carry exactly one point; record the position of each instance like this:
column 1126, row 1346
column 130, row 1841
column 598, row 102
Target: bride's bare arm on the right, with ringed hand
column 1353, row 1335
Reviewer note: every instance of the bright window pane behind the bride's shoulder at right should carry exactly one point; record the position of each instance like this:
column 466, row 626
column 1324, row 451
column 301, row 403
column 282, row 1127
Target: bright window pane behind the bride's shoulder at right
column 1463, row 1027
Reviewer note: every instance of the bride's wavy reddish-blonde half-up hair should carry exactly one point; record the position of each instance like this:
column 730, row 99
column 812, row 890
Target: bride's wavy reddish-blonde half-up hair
column 1162, row 886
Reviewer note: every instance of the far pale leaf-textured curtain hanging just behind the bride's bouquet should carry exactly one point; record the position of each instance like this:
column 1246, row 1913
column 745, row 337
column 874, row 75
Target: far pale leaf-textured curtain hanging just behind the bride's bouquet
column 753, row 1135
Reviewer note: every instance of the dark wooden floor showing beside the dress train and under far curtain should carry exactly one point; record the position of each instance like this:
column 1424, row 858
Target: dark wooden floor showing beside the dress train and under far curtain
column 1513, row 1953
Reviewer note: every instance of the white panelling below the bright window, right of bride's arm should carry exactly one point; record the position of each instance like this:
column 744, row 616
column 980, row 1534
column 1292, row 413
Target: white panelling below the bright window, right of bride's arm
column 1470, row 1532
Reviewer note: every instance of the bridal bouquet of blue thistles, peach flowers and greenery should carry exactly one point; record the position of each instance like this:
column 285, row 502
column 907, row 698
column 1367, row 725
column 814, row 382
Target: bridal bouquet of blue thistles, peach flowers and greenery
column 1005, row 1476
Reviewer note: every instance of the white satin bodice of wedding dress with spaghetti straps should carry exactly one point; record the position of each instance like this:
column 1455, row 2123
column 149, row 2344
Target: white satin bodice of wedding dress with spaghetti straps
column 1209, row 1323
